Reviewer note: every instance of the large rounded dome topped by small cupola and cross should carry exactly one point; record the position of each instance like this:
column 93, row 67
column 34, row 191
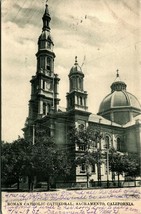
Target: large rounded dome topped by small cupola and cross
column 119, row 103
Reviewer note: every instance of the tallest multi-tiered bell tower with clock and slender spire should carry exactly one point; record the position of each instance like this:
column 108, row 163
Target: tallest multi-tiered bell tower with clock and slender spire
column 44, row 85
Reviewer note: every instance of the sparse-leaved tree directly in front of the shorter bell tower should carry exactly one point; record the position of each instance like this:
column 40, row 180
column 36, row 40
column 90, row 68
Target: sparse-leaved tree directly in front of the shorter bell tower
column 88, row 141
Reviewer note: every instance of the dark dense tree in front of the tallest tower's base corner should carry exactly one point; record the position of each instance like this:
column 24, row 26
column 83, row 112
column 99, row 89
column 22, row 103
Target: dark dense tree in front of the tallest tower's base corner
column 50, row 162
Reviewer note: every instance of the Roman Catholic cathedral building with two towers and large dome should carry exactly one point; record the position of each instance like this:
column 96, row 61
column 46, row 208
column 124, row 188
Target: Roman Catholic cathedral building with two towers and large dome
column 118, row 117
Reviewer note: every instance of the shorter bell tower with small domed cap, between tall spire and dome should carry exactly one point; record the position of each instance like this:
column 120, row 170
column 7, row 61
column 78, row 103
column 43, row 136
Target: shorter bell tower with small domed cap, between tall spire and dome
column 77, row 97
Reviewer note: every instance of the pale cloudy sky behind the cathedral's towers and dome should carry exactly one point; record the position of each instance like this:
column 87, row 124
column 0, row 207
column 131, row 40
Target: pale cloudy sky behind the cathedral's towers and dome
column 105, row 35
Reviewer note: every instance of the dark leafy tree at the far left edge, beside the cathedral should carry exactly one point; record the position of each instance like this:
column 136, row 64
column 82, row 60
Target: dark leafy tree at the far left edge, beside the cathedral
column 16, row 158
